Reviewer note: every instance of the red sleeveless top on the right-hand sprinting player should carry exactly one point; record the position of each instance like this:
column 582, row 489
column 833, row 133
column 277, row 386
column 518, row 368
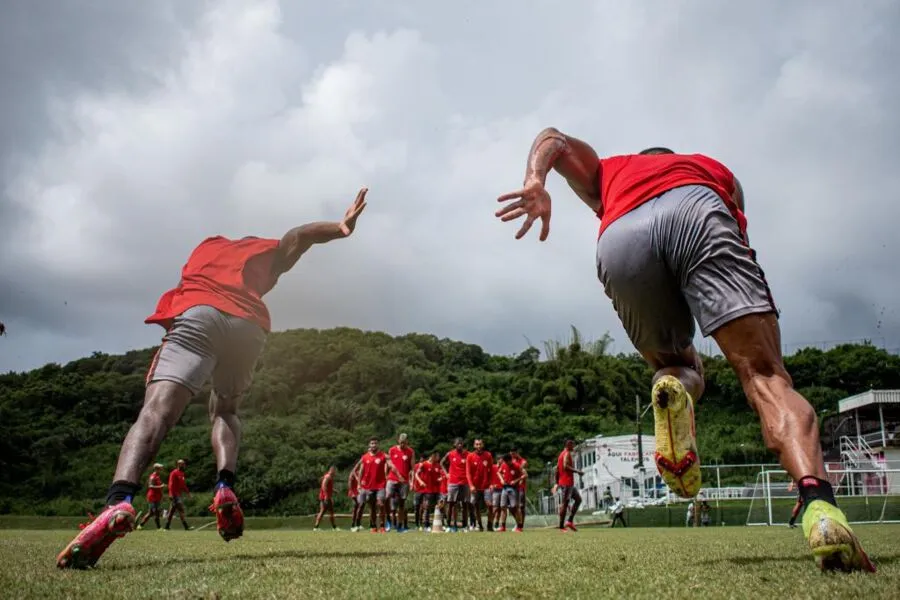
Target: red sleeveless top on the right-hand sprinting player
column 629, row 180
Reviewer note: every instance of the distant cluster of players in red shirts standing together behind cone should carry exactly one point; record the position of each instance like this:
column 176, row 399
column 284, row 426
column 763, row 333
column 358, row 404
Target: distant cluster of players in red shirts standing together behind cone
column 463, row 485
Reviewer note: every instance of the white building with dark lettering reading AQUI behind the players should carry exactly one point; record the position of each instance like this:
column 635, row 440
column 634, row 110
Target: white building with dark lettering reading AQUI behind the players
column 613, row 462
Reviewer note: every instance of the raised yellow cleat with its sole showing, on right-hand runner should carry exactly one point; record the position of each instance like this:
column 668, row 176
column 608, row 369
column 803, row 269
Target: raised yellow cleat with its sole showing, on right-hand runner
column 676, row 443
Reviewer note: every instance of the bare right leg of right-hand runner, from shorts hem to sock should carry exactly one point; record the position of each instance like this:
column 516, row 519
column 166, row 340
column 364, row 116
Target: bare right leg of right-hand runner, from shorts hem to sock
column 752, row 345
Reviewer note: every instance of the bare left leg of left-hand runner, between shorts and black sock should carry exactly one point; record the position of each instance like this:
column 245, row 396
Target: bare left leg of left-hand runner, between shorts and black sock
column 164, row 403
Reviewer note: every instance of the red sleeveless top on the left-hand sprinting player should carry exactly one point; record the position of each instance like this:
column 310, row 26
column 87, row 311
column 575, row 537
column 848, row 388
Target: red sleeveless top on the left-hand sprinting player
column 230, row 275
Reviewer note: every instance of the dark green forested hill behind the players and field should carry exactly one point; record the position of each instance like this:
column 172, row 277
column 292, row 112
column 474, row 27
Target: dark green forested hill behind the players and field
column 319, row 395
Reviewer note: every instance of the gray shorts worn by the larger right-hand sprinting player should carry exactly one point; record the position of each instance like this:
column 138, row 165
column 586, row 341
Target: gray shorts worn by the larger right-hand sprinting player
column 677, row 258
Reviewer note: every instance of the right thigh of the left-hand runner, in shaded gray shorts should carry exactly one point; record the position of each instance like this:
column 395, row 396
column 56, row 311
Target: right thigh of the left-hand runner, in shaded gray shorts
column 242, row 345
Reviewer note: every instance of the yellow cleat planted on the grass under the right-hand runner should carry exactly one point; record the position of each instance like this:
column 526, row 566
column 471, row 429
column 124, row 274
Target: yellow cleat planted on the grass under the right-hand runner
column 832, row 542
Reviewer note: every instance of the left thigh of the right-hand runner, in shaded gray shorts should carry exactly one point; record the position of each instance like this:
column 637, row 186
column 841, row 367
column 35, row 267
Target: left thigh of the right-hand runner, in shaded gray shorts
column 644, row 292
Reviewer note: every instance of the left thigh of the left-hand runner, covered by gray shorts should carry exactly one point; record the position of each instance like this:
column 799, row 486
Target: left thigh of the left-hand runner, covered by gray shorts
column 188, row 353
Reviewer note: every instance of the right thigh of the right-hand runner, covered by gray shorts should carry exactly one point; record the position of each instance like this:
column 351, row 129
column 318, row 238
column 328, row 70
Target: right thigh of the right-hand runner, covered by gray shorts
column 717, row 269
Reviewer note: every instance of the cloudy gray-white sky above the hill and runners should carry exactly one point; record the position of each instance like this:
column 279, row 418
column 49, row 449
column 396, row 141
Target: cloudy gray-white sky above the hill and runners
column 131, row 131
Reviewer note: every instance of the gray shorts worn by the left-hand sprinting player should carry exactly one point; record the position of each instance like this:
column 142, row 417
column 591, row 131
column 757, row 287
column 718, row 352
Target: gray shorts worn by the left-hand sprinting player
column 205, row 343
